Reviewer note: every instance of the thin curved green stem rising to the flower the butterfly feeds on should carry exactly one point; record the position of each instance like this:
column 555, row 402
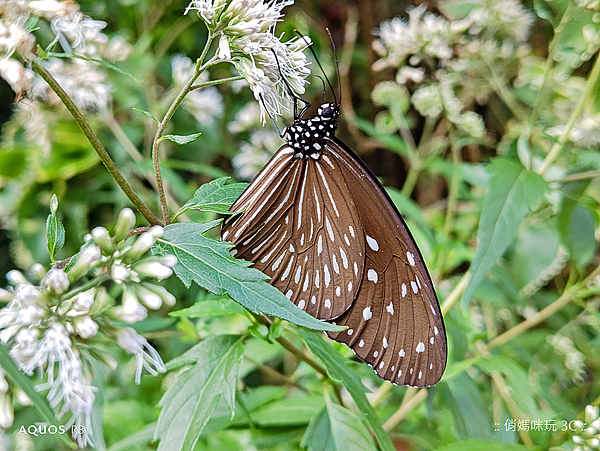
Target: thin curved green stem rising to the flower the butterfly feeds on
column 163, row 125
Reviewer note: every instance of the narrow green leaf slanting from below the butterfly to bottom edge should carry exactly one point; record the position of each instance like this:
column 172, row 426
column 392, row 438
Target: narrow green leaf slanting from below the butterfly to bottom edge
column 338, row 368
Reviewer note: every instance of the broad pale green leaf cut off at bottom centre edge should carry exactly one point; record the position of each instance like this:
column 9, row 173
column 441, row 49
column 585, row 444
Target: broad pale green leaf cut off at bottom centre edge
column 336, row 428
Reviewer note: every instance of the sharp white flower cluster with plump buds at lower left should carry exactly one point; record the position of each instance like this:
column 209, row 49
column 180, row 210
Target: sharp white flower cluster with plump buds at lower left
column 45, row 325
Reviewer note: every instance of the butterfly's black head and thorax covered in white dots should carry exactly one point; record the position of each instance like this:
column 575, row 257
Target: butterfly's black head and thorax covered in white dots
column 307, row 136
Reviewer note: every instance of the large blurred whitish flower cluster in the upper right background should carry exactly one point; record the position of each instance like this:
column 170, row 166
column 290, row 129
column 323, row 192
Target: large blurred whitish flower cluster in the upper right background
column 440, row 59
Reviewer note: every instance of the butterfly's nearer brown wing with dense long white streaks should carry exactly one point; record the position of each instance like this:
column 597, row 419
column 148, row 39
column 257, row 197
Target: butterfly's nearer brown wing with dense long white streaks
column 292, row 230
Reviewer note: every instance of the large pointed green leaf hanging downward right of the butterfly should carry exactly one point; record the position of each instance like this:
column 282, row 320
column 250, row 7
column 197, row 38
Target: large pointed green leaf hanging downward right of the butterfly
column 512, row 193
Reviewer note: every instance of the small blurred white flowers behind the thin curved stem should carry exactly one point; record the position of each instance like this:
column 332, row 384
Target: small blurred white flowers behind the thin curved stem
column 204, row 104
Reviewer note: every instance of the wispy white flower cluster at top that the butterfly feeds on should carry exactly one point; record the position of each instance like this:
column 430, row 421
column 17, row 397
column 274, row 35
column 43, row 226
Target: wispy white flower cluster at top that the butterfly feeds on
column 245, row 30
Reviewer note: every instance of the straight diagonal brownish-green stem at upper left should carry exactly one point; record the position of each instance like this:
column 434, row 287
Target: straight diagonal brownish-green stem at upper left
column 96, row 144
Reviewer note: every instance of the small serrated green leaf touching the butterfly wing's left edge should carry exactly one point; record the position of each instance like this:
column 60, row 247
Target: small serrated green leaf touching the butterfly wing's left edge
column 214, row 196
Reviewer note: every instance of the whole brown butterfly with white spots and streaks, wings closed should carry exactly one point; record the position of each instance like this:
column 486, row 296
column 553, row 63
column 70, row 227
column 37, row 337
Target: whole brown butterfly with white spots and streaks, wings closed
column 317, row 221
